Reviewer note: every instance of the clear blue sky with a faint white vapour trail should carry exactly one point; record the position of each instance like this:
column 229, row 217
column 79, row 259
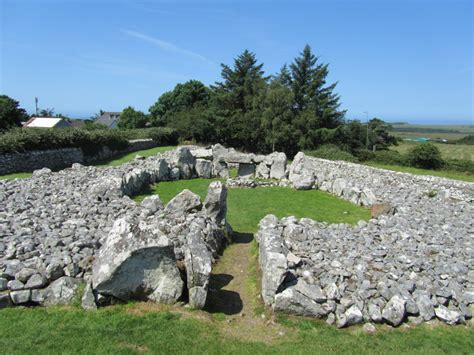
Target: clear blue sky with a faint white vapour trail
column 397, row 60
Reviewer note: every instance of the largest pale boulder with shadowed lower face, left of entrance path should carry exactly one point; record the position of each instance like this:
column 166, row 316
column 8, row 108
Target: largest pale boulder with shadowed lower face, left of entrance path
column 136, row 263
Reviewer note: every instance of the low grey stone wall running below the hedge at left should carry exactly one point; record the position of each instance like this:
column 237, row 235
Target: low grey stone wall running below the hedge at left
column 62, row 158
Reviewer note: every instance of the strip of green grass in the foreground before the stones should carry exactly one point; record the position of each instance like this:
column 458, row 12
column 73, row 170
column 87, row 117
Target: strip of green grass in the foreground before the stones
column 116, row 330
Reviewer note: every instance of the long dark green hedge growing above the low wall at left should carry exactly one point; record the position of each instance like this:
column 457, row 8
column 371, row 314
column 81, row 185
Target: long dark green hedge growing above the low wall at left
column 20, row 140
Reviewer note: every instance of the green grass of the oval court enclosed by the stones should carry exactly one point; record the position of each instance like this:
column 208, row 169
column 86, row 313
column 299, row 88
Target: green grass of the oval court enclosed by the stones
column 246, row 207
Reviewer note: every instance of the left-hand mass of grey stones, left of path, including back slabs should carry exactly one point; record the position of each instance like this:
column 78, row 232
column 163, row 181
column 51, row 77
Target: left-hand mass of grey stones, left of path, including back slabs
column 79, row 225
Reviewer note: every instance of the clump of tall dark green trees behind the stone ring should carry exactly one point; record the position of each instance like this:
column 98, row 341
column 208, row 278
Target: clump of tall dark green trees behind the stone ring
column 294, row 110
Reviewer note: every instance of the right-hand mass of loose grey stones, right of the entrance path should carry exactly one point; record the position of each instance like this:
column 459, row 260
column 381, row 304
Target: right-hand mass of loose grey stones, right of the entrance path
column 414, row 263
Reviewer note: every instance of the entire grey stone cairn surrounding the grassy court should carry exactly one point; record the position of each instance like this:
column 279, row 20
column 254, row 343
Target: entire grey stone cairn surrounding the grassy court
column 412, row 260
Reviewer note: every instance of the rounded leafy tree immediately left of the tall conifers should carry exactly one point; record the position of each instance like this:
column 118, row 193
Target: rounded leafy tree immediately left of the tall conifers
column 185, row 96
